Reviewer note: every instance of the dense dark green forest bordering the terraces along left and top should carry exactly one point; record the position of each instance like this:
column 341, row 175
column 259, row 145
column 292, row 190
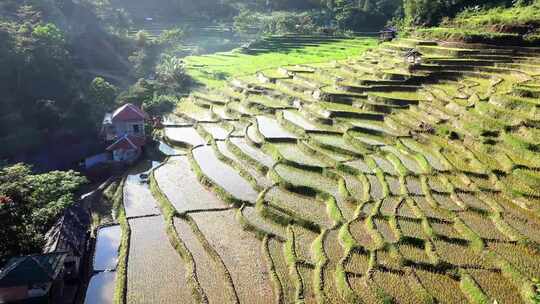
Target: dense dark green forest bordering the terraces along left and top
column 64, row 63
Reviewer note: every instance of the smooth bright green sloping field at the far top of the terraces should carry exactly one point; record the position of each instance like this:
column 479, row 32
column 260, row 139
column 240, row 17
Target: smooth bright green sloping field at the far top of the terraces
column 269, row 53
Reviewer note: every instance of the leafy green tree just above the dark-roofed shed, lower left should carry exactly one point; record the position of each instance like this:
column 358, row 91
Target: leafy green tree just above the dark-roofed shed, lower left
column 30, row 204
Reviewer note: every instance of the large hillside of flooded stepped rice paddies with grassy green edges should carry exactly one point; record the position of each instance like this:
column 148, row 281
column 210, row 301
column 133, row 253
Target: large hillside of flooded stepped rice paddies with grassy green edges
column 362, row 181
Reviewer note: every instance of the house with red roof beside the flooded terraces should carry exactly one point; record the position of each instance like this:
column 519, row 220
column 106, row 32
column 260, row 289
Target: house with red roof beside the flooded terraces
column 124, row 130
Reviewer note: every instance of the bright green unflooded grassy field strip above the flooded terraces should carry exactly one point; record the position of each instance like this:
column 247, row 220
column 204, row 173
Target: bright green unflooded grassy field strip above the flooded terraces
column 215, row 70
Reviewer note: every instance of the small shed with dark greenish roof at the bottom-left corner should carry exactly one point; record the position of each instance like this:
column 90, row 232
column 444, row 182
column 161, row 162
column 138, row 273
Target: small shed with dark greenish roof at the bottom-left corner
column 35, row 279
